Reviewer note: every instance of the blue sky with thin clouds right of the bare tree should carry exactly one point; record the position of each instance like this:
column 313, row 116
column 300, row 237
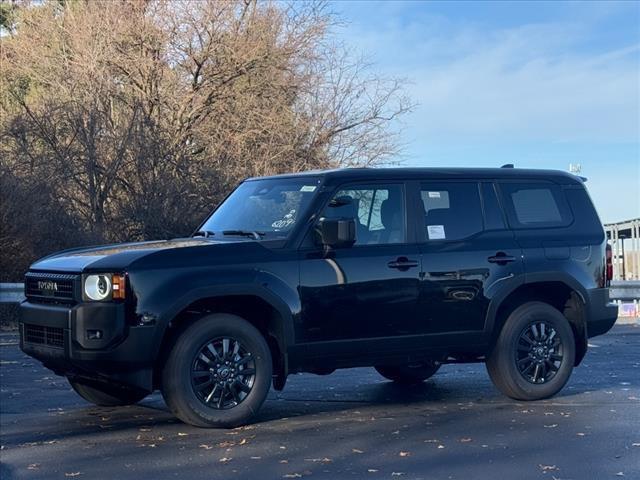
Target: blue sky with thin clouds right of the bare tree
column 537, row 84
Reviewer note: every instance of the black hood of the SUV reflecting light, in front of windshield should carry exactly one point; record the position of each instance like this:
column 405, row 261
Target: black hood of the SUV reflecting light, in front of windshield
column 112, row 257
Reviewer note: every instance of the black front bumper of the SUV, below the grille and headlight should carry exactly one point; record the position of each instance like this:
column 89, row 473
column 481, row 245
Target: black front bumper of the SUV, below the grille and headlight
column 63, row 339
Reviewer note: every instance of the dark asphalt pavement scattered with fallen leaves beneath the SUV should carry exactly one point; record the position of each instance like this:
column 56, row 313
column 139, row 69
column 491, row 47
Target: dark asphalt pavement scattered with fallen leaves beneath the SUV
column 351, row 424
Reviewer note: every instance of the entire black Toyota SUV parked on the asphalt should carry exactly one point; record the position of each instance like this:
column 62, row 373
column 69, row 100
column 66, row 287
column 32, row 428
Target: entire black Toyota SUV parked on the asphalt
column 400, row 269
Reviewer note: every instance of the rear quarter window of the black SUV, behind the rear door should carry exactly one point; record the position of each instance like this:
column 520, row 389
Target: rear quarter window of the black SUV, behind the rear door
column 535, row 205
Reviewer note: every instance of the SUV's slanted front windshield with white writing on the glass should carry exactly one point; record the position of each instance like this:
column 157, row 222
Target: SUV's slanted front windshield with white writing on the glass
column 267, row 209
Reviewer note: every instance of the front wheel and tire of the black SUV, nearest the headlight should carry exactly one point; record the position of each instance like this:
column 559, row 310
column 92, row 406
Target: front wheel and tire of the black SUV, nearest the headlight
column 210, row 390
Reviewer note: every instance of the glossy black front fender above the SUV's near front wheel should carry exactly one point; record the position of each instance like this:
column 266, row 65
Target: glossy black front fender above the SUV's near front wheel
column 166, row 286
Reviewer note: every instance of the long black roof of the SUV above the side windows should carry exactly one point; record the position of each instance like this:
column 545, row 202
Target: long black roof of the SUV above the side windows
column 365, row 174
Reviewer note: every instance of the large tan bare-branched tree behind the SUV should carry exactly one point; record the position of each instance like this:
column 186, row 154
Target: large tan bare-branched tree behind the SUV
column 142, row 114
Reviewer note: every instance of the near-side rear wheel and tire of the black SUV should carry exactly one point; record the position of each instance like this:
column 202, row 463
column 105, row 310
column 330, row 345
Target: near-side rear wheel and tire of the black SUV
column 533, row 368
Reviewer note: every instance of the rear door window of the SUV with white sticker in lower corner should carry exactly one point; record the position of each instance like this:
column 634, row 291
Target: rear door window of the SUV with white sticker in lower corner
column 452, row 211
